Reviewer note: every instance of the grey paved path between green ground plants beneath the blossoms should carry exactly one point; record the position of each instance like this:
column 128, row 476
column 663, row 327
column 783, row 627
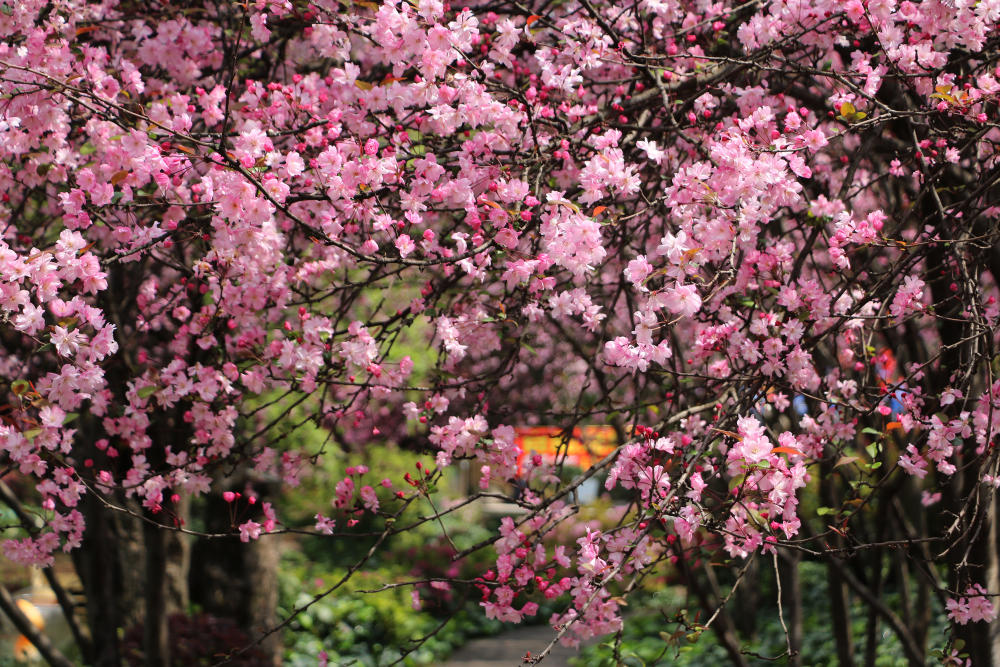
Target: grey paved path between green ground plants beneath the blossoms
column 507, row 649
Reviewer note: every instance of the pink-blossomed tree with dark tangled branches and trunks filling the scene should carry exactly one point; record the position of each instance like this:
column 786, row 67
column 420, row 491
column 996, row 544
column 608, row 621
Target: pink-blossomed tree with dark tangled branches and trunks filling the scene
column 758, row 239
